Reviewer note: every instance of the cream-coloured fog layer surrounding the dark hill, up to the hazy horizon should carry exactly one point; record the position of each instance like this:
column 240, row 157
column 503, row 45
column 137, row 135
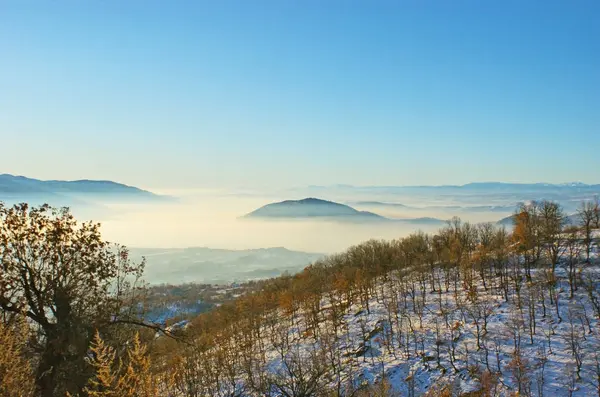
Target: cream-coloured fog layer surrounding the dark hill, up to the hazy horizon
column 212, row 217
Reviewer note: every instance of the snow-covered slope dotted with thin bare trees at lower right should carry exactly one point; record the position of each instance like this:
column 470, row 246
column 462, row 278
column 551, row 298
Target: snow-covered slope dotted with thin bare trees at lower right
column 417, row 330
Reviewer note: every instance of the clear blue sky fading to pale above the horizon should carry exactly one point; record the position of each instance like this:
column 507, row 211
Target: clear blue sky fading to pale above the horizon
column 253, row 93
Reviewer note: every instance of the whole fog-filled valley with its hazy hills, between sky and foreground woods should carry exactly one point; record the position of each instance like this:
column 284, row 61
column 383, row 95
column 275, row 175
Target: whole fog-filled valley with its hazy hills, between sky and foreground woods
column 210, row 236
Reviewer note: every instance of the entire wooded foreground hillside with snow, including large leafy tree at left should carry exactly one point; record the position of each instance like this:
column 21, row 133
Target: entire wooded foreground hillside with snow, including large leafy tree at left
column 498, row 310
